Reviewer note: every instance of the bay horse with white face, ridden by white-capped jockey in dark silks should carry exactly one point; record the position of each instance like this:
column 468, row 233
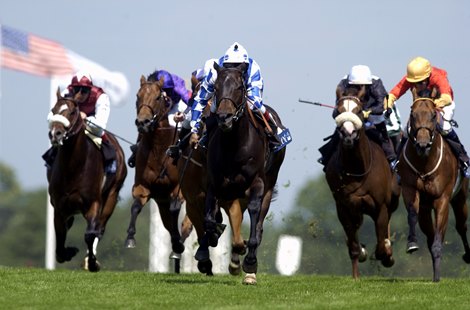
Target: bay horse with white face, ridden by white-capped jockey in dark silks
column 361, row 181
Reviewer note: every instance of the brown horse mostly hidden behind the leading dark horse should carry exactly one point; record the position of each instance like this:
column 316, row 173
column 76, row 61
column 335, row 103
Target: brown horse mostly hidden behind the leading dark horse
column 193, row 176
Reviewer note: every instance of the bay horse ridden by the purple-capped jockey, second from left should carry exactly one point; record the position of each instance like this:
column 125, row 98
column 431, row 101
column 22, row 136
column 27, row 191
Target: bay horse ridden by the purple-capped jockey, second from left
column 156, row 177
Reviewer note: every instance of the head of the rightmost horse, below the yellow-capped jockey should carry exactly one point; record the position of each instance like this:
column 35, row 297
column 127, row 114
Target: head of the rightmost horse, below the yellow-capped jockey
column 423, row 121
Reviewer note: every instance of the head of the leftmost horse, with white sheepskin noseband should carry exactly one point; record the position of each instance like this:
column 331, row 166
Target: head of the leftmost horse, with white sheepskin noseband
column 64, row 120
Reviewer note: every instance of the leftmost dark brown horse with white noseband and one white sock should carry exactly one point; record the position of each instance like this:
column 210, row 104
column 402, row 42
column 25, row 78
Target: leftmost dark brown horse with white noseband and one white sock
column 78, row 183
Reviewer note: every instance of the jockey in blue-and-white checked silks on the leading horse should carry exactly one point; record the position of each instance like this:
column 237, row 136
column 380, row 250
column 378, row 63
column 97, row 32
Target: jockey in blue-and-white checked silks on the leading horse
column 234, row 56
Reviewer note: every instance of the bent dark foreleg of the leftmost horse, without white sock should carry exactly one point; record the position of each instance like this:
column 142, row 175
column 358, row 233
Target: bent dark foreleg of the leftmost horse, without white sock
column 61, row 226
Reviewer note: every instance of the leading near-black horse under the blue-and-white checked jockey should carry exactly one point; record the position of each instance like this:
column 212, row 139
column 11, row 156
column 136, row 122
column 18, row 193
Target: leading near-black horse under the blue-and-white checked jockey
column 239, row 163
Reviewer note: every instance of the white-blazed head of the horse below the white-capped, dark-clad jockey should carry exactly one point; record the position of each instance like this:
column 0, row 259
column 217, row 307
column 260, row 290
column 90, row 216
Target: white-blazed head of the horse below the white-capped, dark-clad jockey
column 350, row 119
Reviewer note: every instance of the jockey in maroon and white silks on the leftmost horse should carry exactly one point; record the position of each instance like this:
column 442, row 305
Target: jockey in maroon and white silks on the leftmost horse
column 94, row 106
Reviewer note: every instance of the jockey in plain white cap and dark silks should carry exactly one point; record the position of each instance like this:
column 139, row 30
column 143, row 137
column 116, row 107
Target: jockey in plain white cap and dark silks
column 373, row 110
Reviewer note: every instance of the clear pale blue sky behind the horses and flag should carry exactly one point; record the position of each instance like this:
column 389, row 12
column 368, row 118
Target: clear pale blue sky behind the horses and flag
column 302, row 47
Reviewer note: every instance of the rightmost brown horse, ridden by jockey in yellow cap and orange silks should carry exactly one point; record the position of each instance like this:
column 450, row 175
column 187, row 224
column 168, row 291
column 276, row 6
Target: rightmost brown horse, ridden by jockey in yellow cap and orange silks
column 430, row 180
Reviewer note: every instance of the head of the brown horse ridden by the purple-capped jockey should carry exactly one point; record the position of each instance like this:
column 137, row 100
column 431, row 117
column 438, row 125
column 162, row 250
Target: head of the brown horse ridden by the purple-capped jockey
column 152, row 104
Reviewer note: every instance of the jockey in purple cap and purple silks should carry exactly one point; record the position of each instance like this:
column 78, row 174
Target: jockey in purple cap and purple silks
column 175, row 89
